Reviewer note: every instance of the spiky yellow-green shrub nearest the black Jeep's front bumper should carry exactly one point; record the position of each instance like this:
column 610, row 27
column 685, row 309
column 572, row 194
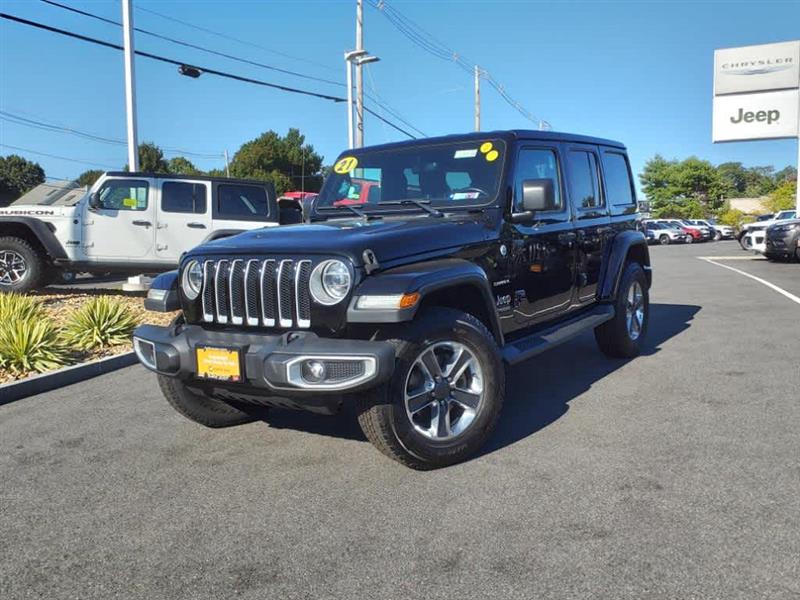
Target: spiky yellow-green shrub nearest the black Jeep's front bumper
column 100, row 323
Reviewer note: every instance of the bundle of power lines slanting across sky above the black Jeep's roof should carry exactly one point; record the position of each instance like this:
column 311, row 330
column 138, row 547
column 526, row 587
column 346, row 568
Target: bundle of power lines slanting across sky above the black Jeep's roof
column 431, row 45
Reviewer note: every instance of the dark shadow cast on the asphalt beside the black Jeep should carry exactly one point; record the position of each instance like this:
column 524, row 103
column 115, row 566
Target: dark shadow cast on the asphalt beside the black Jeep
column 539, row 391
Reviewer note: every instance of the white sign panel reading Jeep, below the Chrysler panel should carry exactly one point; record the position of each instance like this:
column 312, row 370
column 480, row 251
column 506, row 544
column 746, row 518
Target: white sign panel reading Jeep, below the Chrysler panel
column 756, row 116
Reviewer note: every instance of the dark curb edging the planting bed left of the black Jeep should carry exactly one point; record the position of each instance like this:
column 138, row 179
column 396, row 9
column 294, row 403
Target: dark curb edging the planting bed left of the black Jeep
column 45, row 382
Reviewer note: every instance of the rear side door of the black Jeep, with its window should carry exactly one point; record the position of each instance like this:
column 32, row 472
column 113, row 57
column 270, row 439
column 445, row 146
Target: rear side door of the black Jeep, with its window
column 592, row 221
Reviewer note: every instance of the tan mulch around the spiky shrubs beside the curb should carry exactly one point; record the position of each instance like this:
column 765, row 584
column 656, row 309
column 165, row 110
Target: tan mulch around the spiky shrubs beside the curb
column 60, row 303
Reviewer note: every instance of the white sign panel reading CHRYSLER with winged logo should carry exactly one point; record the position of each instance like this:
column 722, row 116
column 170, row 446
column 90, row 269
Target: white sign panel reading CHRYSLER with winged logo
column 762, row 68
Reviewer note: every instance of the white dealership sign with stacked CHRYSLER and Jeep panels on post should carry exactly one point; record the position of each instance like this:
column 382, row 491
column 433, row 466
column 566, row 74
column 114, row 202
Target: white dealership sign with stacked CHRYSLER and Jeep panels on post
column 757, row 95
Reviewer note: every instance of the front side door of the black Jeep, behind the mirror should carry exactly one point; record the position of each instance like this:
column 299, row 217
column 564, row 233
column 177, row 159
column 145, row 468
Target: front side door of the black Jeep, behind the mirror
column 543, row 251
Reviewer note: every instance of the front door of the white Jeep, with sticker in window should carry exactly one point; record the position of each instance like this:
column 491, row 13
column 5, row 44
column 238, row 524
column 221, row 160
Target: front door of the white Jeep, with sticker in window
column 121, row 229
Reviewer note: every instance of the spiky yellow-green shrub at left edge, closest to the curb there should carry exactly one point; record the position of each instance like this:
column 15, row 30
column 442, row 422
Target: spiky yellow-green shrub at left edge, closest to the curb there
column 31, row 344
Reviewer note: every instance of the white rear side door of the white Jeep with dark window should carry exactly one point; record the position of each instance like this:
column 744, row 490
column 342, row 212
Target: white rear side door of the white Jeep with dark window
column 184, row 216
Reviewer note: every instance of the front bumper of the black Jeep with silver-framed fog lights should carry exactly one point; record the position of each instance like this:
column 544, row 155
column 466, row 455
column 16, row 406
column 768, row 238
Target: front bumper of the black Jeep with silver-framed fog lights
column 271, row 364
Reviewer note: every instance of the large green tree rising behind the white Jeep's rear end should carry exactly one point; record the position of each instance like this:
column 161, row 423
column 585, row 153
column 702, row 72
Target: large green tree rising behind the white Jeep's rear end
column 288, row 162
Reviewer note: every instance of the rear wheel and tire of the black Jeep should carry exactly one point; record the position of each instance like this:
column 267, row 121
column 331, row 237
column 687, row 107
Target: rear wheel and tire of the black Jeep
column 622, row 336
